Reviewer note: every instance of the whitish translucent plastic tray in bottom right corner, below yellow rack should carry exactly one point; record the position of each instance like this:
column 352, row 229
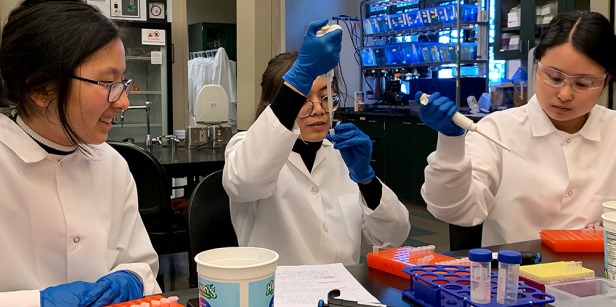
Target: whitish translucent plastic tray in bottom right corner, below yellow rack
column 595, row 292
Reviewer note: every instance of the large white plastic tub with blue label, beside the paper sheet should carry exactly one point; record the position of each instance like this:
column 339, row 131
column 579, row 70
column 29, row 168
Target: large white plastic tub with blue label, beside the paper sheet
column 236, row 277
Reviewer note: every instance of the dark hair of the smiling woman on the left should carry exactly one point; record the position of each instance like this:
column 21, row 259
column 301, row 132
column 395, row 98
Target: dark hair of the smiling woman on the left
column 43, row 42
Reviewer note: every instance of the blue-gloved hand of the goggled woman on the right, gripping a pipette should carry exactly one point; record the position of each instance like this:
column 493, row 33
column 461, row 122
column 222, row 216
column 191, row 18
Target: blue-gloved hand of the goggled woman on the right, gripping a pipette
column 437, row 114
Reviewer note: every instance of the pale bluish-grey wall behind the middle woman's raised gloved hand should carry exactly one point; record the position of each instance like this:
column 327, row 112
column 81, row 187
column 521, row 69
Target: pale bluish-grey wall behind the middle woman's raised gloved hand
column 299, row 14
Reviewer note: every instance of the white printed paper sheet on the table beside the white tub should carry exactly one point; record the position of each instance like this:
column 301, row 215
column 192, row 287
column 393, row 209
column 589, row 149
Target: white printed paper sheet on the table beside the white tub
column 305, row 285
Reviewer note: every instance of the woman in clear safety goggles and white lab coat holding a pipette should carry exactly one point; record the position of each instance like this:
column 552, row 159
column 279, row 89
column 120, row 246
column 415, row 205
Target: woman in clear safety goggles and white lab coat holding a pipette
column 566, row 140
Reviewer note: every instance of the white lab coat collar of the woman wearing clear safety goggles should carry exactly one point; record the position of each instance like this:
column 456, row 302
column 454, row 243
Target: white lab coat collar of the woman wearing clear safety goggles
column 541, row 124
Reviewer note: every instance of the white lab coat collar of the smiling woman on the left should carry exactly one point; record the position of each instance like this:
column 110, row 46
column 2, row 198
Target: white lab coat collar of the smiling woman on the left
column 26, row 148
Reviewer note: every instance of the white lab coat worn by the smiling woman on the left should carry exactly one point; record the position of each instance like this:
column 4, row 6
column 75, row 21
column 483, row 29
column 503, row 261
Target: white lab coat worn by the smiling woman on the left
column 66, row 218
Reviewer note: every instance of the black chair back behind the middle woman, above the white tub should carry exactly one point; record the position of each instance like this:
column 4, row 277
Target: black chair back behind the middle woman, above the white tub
column 209, row 220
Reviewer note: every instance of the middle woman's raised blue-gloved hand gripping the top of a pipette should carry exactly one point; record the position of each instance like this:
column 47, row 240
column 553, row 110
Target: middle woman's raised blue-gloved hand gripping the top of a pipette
column 316, row 56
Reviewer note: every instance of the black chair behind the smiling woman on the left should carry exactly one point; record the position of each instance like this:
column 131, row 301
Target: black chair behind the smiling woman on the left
column 168, row 232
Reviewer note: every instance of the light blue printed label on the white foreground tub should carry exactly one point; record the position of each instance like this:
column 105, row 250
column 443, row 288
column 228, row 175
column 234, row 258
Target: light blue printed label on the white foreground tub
column 227, row 294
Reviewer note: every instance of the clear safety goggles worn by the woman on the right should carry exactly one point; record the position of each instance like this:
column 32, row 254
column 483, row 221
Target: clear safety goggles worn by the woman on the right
column 579, row 83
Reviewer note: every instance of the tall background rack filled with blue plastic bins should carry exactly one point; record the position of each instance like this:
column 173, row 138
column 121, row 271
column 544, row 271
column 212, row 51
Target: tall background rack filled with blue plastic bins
column 375, row 76
